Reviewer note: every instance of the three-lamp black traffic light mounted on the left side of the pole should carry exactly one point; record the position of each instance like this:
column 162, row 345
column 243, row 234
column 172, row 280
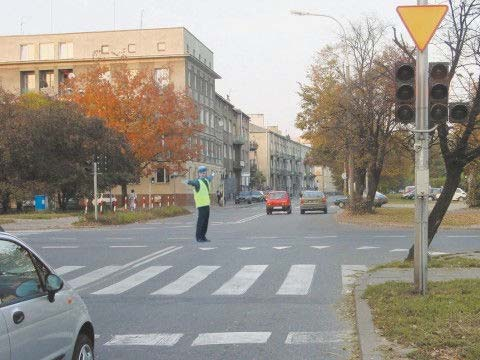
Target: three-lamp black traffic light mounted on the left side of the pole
column 405, row 93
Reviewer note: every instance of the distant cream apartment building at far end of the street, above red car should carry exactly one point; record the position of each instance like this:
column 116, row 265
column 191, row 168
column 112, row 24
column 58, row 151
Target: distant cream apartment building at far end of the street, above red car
column 280, row 159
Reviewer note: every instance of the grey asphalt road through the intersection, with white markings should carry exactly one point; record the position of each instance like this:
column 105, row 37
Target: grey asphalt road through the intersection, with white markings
column 265, row 287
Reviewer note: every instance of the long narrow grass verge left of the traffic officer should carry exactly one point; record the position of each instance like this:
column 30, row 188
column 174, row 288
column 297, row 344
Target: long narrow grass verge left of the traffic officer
column 129, row 217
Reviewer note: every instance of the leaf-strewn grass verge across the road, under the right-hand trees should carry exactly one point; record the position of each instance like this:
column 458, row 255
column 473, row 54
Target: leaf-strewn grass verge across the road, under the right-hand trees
column 405, row 217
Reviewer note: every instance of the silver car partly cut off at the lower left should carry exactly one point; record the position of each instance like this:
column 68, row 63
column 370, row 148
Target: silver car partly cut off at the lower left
column 41, row 317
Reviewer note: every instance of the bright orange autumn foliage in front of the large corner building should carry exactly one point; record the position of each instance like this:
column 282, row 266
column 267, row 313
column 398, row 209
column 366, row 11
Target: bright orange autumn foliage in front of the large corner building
column 157, row 121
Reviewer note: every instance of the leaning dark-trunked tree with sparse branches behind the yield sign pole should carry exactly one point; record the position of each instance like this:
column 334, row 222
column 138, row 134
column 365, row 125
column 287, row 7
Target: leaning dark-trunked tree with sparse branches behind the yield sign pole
column 459, row 144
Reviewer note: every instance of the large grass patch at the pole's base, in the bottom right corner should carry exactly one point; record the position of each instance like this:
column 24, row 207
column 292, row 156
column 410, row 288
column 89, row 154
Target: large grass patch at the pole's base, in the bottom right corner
column 445, row 324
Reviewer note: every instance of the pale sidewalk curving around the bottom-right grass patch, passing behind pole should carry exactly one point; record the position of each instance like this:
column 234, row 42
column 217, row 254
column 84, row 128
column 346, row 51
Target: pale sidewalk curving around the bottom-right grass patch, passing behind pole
column 369, row 339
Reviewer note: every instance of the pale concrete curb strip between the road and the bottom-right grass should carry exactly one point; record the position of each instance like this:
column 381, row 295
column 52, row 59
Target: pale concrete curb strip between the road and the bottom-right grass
column 369, row 340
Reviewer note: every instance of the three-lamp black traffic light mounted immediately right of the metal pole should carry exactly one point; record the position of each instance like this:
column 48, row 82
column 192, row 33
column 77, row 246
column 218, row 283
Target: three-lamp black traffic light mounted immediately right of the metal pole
column 438, row 92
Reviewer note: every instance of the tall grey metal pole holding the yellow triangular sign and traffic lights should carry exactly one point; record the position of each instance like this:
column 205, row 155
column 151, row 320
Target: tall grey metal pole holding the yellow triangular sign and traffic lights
column 421, row 170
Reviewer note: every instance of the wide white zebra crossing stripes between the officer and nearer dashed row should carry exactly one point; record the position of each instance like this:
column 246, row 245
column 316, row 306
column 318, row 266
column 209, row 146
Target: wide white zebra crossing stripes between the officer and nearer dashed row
column 115, row 281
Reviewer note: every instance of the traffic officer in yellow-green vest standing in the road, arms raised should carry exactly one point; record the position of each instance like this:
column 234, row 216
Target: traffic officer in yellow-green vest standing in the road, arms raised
column 201, row 195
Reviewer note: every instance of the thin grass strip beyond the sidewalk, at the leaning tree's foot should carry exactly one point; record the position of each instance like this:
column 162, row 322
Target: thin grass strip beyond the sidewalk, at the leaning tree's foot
column 442, row 261
